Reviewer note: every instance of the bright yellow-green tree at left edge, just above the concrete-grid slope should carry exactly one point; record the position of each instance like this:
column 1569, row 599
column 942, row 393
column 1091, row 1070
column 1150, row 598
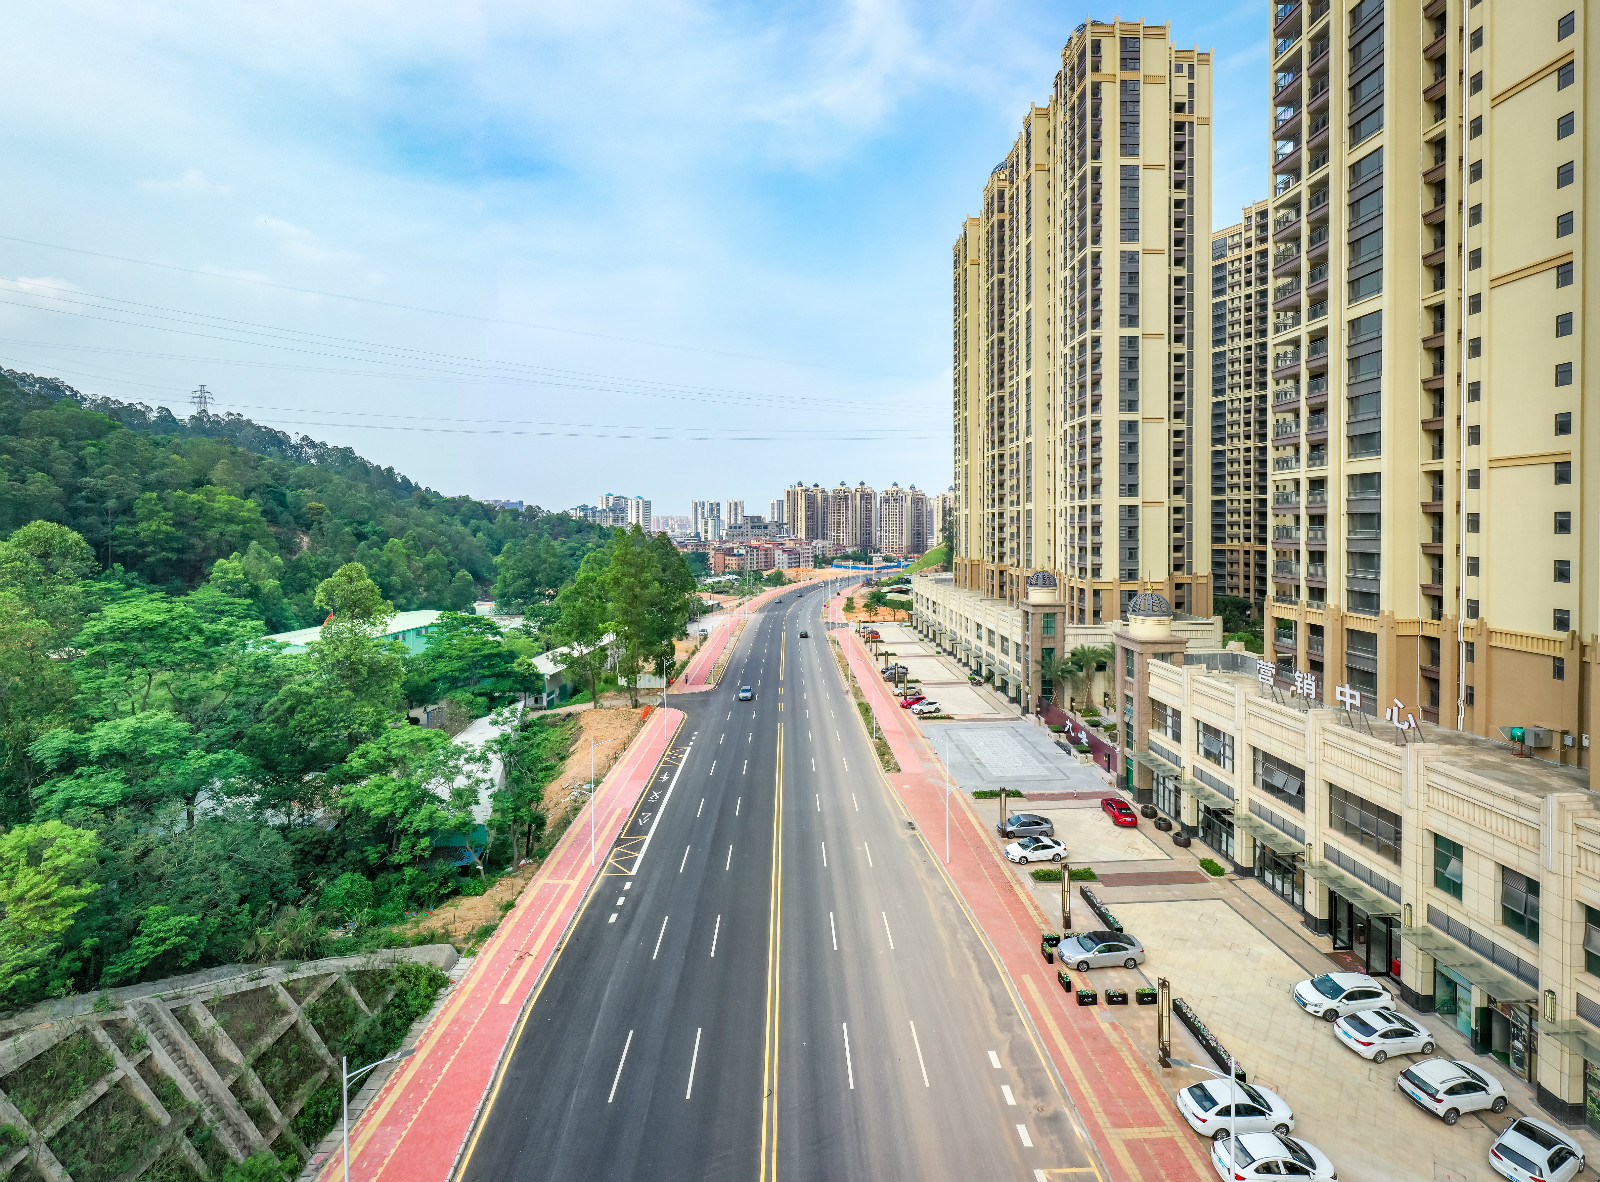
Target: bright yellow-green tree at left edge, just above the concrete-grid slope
column 44, row 884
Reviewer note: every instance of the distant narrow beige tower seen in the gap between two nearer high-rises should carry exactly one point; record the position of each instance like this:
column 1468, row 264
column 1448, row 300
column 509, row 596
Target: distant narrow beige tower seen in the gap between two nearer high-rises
column 1241, row 292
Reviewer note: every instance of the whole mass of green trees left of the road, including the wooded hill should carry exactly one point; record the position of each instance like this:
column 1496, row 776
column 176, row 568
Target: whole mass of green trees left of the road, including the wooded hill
column 178, row 793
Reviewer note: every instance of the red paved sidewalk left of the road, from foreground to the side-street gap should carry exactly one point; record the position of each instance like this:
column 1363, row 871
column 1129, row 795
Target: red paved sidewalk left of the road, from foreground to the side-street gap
column 458, row 1055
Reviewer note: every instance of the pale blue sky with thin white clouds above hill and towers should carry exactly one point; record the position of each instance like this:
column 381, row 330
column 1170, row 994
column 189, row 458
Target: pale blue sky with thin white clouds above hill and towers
column 546, row 250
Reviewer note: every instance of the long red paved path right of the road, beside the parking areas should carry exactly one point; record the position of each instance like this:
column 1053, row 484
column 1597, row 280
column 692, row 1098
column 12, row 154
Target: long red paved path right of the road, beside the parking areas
column 1113, row 1082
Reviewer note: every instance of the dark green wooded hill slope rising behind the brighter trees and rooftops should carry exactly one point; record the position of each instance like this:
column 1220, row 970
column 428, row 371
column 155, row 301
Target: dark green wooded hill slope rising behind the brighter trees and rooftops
column 166, row 500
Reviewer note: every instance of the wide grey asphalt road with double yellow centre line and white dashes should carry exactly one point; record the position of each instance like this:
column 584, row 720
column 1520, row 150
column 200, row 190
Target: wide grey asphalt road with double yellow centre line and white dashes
column 774, row 980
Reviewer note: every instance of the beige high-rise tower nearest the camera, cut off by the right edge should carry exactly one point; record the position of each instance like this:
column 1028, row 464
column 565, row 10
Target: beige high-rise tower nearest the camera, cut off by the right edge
column 1430, row 359
